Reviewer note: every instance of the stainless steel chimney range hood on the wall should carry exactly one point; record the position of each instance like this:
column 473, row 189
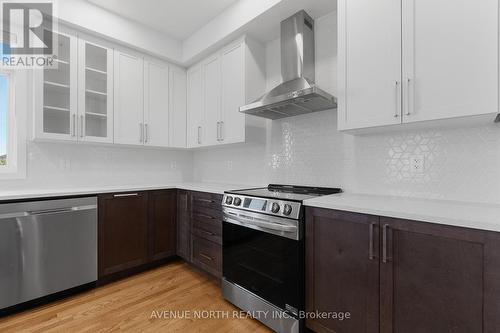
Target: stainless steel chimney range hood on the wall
column 298, row 93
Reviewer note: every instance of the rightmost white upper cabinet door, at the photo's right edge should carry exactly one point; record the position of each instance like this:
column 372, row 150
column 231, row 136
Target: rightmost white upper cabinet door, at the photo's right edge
column 450, row 58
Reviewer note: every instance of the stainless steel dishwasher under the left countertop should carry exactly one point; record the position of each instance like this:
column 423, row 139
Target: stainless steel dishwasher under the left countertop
column 45, row 247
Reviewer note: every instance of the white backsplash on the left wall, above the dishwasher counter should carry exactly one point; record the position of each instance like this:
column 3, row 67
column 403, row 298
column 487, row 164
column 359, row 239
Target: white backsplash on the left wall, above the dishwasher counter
column 65, row 165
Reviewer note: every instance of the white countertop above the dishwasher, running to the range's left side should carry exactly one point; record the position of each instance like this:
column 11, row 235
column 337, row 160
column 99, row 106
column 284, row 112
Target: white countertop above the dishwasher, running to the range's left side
column 61, row 192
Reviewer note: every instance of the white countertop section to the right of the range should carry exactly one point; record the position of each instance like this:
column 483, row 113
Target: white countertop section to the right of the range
column 455, row 213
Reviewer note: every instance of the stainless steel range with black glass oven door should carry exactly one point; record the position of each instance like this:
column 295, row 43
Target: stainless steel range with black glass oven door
column 263, row 252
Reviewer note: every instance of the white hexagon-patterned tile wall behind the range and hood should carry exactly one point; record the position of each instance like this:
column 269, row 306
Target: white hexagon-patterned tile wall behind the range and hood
column 460, row 164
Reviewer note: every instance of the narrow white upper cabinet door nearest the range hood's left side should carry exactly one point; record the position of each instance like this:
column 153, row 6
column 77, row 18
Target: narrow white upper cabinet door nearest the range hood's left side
column 232, row 126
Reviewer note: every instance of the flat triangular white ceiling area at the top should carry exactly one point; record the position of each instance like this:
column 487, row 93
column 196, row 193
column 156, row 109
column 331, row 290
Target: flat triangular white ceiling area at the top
column 176, row 18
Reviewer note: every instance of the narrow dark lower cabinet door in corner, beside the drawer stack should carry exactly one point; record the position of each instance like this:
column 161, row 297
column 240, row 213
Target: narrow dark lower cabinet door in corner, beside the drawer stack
column 184, row 224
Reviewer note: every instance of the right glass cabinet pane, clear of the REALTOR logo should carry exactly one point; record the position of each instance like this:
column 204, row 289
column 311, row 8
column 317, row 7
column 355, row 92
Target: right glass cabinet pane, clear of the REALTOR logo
column 96, row 98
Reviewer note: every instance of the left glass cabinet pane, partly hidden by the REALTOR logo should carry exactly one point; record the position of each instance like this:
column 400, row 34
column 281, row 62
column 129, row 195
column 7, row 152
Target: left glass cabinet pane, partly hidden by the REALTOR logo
column 56, row 91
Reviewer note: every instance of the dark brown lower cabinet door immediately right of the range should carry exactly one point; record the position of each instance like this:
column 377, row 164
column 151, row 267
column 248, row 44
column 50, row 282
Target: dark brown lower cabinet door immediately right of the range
column 342, row 270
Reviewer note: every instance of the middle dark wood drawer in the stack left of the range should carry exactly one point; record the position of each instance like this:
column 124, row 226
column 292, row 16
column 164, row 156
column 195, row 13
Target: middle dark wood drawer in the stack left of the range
column 208, row 225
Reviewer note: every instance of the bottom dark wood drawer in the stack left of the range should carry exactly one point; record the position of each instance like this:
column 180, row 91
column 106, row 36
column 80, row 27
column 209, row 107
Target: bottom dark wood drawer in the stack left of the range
column 207, row 255
